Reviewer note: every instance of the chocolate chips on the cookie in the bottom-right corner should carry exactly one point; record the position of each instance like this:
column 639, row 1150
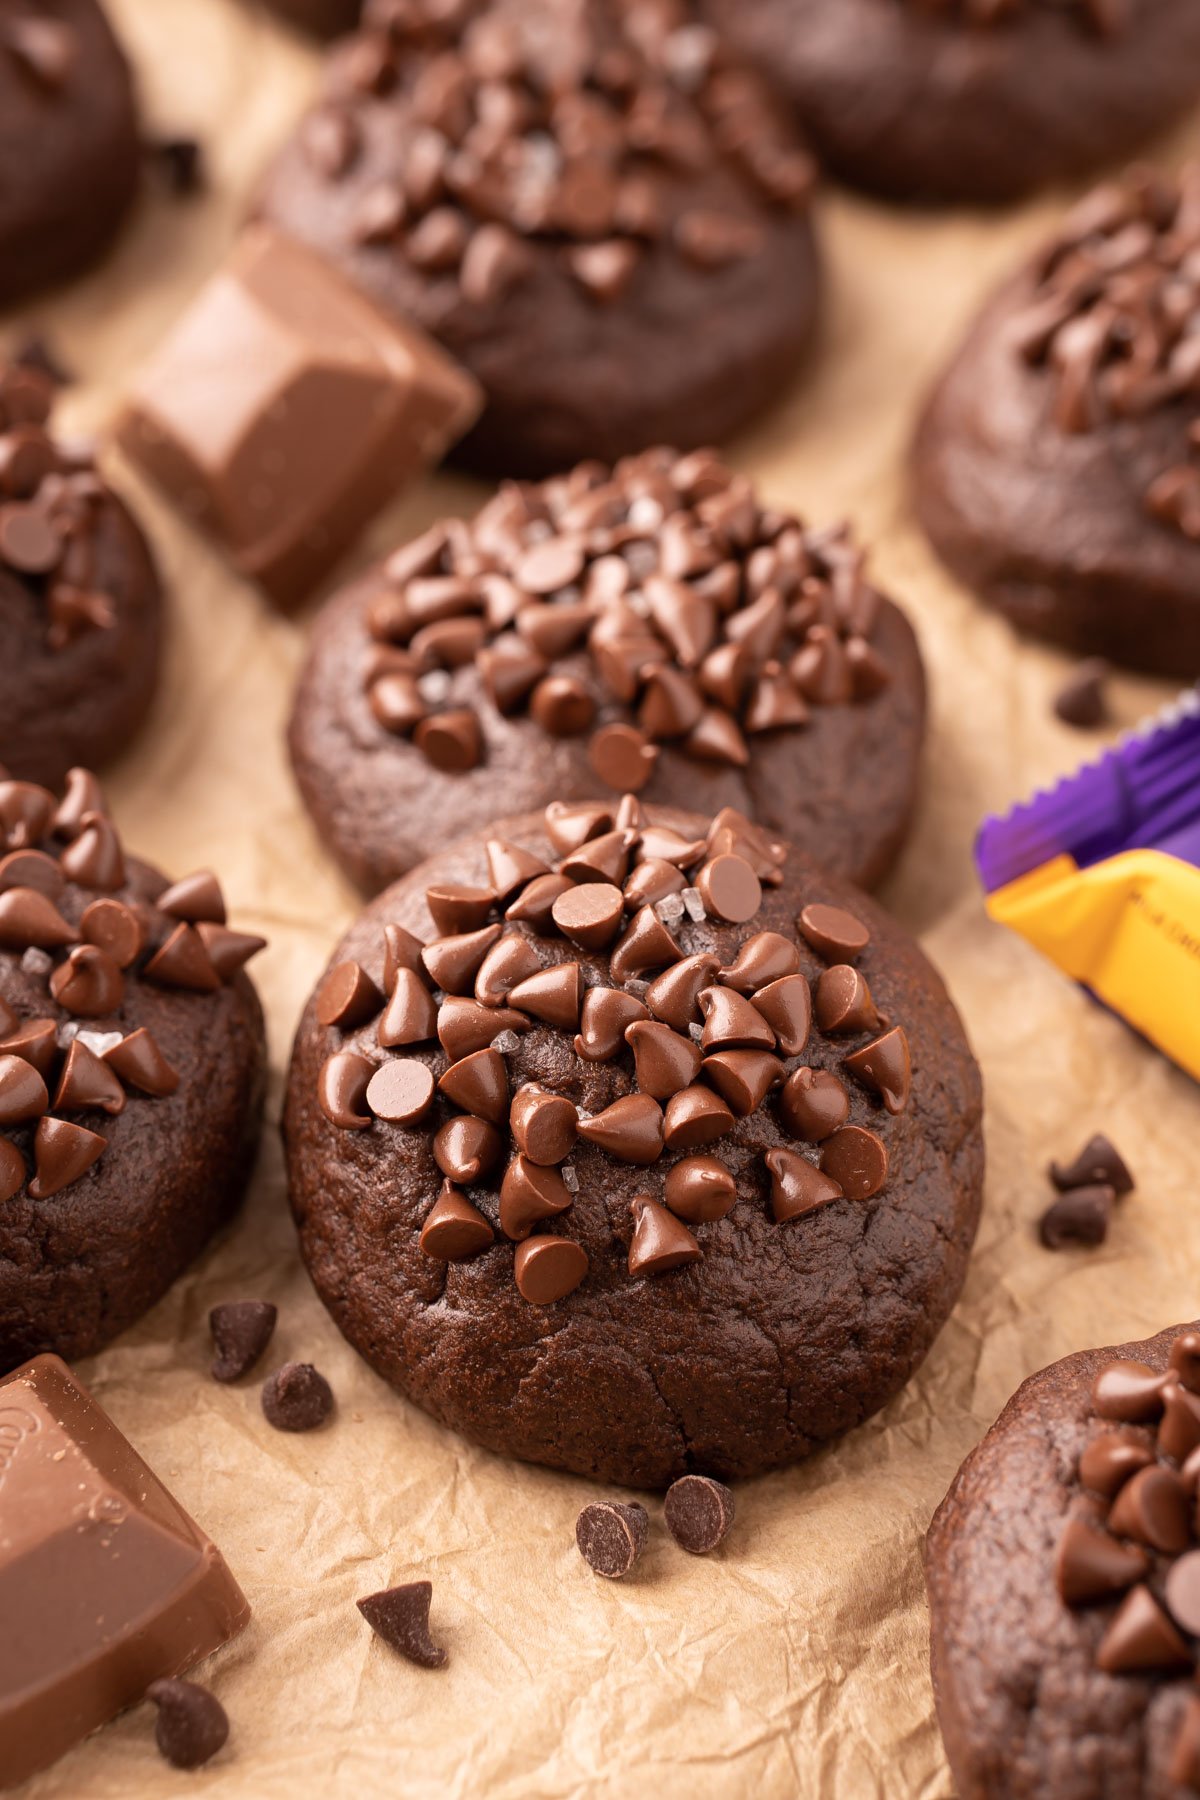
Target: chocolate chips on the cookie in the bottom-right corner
column 1133, row 1540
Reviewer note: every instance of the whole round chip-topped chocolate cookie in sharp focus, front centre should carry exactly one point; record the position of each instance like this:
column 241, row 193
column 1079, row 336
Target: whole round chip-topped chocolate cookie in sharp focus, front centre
column 661, row 1153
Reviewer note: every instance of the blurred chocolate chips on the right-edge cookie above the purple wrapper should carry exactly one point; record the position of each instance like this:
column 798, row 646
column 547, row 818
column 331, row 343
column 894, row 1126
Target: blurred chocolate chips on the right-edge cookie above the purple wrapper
column 1115, row 323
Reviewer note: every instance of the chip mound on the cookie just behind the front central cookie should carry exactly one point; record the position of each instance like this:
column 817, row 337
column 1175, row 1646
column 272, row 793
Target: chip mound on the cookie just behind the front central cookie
column 650, row 604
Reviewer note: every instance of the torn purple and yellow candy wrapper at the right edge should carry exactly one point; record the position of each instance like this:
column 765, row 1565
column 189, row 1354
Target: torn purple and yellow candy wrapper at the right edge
column 1104, row 876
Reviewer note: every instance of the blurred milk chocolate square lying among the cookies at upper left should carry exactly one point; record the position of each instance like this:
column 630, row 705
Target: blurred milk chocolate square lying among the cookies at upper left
column 285, row 411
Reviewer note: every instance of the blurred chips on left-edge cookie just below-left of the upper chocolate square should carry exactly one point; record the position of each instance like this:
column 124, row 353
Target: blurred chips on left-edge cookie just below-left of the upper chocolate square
column 49, row 508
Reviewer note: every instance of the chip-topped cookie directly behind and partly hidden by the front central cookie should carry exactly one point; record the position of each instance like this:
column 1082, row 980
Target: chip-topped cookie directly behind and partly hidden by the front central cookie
column 649, row 627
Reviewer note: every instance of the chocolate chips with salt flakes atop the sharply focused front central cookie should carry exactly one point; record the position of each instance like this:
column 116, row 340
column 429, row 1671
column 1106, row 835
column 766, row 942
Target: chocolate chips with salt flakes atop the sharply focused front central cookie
column 695, row 1048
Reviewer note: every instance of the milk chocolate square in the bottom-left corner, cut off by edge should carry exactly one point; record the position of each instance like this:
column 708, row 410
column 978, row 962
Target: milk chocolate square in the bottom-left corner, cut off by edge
column 105, row 1583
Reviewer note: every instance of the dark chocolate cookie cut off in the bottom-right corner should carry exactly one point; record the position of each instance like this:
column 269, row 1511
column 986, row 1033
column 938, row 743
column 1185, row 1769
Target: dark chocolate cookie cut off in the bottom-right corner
column 1064, row 1579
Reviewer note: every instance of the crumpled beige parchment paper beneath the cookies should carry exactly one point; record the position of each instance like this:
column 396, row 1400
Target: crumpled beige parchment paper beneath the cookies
column 794, row 1662
